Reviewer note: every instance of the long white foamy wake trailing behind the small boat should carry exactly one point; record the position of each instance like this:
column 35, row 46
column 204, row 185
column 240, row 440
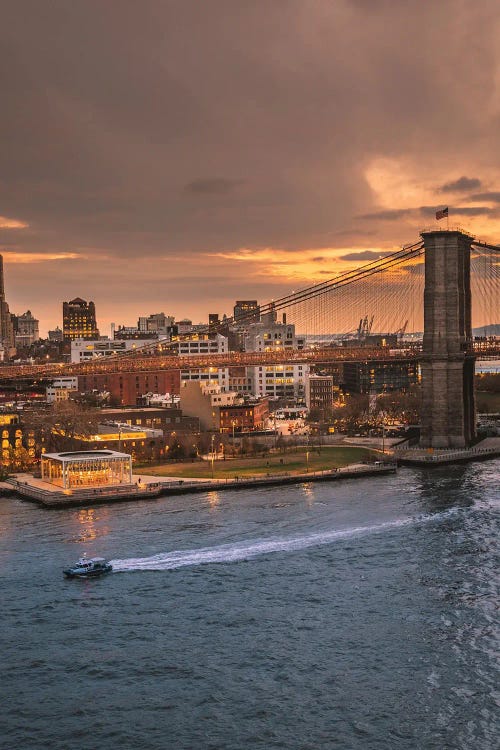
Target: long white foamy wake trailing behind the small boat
column 245, row 550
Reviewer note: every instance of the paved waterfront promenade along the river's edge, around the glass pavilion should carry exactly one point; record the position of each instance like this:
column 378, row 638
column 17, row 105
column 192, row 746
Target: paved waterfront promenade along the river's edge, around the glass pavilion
column 151, row 487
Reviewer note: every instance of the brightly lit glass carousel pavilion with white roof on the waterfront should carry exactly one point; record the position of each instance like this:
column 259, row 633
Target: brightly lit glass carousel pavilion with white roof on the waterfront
column 81, row 469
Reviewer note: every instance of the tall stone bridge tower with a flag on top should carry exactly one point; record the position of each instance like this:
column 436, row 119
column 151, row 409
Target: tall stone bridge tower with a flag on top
column 448, row 408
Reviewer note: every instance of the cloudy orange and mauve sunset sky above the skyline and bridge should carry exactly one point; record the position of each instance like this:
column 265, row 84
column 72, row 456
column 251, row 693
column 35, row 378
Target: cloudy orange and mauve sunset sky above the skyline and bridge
column 176, row 155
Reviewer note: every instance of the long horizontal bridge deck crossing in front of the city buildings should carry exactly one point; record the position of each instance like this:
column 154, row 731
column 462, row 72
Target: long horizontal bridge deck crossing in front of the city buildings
column 152, row 363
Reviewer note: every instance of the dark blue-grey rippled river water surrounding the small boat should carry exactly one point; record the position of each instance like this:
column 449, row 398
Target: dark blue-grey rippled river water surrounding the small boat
column 361, row 614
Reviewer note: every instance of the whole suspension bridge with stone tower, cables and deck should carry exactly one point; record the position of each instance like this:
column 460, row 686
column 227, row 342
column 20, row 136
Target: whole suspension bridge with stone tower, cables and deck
column 443, row 284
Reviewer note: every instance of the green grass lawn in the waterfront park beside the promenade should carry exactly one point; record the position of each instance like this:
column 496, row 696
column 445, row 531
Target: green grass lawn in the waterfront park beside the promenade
column 296, row 462
